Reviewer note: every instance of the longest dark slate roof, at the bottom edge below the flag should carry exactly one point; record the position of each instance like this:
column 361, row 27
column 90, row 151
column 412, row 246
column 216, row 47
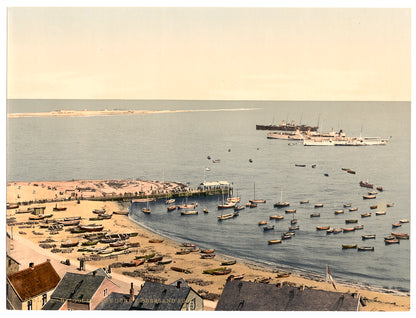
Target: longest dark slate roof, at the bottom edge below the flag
column 249, row 296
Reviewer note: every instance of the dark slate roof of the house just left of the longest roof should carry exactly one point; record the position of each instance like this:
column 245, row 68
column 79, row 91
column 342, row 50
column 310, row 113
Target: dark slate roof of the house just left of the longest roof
column 155, row 296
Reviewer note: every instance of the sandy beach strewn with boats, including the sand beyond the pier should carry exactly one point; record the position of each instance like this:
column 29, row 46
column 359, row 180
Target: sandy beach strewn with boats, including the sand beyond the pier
column 147, row 243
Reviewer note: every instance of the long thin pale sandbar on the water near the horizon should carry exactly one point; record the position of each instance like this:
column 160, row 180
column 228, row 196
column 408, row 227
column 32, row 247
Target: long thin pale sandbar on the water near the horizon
column 106, row 112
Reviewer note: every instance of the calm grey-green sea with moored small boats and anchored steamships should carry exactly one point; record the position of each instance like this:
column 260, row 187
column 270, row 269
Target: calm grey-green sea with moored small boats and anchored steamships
column 175, row 147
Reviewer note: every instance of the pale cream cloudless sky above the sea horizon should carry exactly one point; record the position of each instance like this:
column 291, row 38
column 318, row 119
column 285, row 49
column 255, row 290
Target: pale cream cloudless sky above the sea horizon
column 214, row 53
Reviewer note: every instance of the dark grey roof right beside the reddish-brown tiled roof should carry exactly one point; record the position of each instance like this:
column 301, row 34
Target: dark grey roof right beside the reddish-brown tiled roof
column 77, row 287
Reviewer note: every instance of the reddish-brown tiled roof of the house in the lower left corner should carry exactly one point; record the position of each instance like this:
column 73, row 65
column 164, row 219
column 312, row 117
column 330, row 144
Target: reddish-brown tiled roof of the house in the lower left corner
column 31, row 282
